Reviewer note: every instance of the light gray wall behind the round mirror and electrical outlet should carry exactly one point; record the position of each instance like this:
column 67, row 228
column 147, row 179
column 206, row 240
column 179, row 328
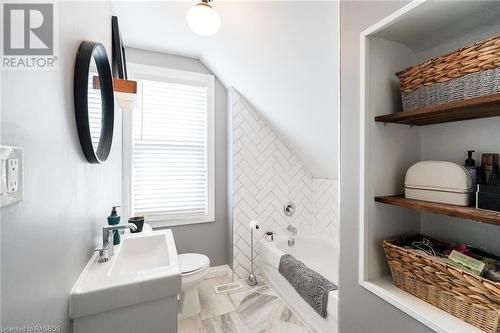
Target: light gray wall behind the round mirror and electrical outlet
column 48, row 238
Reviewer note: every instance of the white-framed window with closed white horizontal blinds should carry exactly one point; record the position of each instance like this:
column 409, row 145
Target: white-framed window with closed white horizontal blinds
column 169, row 147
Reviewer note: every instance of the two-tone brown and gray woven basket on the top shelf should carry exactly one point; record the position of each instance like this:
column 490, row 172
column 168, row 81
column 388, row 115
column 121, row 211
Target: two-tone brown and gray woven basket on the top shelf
column 469, row 72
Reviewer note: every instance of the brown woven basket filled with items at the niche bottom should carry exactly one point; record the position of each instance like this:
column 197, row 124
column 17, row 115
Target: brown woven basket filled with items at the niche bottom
column 470, row 298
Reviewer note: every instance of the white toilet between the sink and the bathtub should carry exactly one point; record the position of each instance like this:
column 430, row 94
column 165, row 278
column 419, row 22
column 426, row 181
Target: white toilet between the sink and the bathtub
column 194, row 268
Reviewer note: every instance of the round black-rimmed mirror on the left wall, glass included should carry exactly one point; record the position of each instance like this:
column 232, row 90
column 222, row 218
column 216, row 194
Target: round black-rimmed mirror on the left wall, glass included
column 94, row 101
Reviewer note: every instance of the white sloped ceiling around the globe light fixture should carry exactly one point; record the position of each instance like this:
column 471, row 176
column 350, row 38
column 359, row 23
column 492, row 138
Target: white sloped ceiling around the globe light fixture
column 282, row 56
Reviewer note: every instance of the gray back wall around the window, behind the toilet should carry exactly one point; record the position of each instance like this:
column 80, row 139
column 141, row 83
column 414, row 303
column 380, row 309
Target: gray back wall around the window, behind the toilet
column 211, row 239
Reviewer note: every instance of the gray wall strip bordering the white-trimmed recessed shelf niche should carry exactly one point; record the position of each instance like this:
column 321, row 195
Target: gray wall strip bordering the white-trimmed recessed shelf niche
column 359, row 309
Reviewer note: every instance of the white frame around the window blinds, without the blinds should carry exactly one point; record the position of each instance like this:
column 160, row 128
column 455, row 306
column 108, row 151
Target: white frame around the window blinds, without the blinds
column 155, row 73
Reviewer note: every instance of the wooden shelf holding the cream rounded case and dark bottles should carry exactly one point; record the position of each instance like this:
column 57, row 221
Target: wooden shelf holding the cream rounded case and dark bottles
column 469, row 213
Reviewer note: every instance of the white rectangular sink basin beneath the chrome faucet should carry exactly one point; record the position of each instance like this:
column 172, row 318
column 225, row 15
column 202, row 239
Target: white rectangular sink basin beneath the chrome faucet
column 144, row 268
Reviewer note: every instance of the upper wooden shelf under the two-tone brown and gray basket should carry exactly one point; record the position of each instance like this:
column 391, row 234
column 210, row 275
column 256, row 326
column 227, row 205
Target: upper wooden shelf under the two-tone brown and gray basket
column 474, row 108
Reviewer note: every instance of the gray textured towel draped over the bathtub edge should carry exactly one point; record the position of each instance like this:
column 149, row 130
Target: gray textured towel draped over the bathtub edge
column 310, row 285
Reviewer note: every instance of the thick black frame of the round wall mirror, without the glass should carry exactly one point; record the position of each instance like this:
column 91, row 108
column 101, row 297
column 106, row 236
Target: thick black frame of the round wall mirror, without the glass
column 84, row 55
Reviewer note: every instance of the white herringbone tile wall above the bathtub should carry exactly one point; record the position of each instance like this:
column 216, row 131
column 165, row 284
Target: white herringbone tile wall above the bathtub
column 266, row 175
